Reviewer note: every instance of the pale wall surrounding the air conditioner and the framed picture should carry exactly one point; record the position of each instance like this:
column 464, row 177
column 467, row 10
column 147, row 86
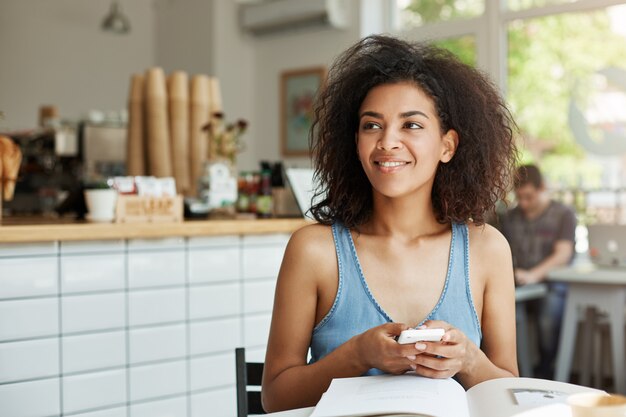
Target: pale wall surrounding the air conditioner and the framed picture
column 249, row 68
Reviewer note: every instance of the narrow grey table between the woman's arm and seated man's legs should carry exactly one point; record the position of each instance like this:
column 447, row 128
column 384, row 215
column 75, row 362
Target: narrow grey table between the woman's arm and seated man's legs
column 522, row 295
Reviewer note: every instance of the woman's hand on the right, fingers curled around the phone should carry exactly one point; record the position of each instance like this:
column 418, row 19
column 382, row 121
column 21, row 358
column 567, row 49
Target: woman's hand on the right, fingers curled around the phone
column 454, row 354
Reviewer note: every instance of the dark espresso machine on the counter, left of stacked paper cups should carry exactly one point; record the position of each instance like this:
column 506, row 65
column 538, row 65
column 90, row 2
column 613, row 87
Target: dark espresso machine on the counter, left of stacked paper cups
column 56, row 163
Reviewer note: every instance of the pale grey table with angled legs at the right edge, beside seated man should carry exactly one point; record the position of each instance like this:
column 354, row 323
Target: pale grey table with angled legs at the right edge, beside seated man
column 600, row 288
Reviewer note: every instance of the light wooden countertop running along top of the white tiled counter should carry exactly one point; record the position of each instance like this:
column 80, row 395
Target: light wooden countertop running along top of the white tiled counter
column 45, row 231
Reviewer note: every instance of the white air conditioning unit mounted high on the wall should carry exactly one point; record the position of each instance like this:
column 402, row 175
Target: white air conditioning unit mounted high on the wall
column 285, row 15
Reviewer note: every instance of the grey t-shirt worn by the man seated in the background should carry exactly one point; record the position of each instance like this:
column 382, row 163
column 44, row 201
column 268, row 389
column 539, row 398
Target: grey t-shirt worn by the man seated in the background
column 532, row 241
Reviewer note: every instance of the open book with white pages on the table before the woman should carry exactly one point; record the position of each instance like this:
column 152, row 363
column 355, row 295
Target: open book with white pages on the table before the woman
column 413, row 395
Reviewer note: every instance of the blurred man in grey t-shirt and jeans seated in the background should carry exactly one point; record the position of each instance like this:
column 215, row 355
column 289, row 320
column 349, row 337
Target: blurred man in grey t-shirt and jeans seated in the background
column 541, row 233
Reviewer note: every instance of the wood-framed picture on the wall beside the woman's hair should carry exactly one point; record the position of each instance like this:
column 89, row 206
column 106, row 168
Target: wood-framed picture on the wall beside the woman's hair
column 297, row 94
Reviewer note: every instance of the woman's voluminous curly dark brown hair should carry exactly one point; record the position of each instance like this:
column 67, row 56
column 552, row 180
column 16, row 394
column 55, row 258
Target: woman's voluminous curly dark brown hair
column 465, row 99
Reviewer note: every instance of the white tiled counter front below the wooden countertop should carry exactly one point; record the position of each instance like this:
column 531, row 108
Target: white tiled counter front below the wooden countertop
column 132, row 328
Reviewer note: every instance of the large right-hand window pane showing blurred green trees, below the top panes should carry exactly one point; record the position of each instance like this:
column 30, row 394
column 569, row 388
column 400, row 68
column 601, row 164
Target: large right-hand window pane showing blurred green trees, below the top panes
column 569, row 96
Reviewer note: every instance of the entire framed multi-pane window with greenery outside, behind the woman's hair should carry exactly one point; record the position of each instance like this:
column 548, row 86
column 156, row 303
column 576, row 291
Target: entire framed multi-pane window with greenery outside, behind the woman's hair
column 561, row 65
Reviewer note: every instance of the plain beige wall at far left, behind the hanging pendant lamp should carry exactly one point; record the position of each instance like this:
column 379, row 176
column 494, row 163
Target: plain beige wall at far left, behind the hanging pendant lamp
column 53, row 52
